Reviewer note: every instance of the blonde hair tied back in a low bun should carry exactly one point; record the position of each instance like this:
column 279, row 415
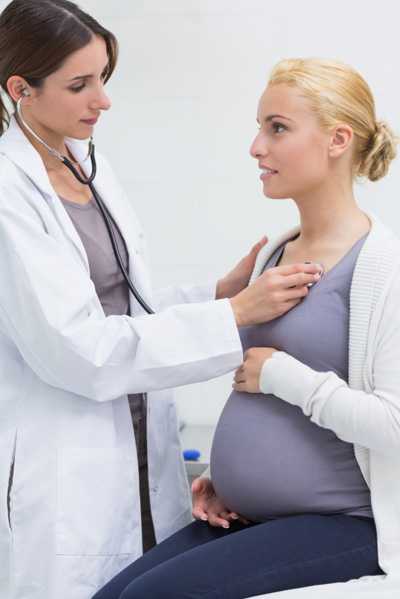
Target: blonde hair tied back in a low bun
column 338, row 94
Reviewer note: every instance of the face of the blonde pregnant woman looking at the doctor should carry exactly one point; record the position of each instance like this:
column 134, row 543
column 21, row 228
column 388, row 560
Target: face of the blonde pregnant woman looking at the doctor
column 290, row 147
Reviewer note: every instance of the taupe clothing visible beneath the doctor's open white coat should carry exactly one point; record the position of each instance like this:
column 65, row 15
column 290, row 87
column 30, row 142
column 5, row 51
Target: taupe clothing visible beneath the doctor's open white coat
column 114, row 297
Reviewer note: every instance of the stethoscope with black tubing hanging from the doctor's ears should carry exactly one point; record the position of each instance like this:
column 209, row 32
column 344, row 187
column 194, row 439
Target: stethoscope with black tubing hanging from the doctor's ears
column 102, row 207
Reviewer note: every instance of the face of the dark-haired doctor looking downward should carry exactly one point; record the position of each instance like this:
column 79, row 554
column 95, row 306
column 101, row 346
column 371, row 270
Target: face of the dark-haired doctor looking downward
column 72, row 98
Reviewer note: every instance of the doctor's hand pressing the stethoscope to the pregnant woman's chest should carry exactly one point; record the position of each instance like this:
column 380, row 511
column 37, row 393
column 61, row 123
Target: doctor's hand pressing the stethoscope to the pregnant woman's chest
column 274, row 292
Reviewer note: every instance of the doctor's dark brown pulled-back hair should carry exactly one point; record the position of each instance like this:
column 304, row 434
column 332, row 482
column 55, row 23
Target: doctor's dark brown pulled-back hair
column 37, row 36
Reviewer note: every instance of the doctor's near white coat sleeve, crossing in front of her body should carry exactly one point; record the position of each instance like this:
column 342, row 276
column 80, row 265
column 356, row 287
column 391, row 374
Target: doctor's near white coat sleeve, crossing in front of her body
column 50, row 311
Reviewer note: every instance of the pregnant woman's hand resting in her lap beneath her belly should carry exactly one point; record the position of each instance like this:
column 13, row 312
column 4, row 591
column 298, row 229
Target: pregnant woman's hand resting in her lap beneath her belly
column 208, row 507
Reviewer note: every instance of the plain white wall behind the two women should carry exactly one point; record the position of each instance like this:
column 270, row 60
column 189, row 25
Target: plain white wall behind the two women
column 184, row 106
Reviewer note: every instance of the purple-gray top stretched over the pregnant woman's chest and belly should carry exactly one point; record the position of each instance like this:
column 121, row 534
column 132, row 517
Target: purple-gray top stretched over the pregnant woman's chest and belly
column 268, row 459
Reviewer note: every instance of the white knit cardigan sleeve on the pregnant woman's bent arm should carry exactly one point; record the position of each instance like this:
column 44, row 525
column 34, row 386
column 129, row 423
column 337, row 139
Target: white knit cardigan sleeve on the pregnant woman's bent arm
column 371, row 420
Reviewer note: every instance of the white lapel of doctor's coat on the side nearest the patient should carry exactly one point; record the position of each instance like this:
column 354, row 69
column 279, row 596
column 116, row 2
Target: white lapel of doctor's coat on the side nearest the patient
column 118, row 205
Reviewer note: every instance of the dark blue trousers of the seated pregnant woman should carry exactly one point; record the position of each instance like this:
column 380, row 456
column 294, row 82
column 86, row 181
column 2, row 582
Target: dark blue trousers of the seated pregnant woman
column 213, row 563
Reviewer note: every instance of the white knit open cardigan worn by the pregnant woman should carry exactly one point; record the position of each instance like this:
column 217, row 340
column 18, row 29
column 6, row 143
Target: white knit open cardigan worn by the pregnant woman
column 366, row 411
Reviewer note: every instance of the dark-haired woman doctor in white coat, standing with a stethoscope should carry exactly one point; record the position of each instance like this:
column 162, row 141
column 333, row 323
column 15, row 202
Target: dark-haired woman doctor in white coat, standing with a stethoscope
column 82, row 368
